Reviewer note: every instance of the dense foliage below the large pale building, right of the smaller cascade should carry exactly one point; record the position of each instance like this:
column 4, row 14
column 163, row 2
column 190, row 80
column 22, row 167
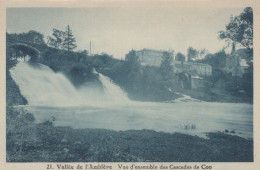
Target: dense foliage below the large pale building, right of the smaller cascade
column 141, row 82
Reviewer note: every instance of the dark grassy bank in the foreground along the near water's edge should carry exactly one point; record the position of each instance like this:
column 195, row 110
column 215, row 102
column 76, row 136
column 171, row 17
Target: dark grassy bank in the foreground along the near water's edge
column 30, row 142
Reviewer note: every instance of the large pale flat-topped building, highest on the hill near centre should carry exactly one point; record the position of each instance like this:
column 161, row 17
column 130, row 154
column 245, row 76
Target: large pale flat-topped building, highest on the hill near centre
column 149, row 57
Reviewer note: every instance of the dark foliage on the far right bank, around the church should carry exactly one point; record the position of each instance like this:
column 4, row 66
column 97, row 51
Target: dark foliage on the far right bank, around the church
column 242, row 87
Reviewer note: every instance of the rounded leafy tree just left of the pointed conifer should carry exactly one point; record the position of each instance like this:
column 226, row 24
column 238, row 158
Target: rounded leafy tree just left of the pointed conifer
column 57, row 38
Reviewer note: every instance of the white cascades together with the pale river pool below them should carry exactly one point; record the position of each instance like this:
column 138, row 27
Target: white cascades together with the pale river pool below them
column 52, row 95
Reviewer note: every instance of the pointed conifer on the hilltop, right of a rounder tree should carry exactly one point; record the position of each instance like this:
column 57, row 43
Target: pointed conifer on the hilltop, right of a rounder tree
column 69, row 42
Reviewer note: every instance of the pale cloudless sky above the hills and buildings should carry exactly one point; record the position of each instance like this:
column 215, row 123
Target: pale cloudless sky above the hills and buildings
column 116, row 31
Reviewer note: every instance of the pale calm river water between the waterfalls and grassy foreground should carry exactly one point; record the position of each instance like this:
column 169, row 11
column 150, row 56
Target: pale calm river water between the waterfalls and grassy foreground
column 194, row 118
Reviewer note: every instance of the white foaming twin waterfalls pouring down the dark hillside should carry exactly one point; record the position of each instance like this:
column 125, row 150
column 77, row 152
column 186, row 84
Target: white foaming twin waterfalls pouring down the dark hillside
column 42, row 86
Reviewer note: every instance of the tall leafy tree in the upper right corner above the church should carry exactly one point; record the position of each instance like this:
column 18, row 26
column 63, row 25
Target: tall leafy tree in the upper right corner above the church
column 240, row 30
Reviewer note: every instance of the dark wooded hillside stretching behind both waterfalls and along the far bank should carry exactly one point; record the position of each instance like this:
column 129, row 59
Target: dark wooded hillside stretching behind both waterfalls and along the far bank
column 143, row 83
